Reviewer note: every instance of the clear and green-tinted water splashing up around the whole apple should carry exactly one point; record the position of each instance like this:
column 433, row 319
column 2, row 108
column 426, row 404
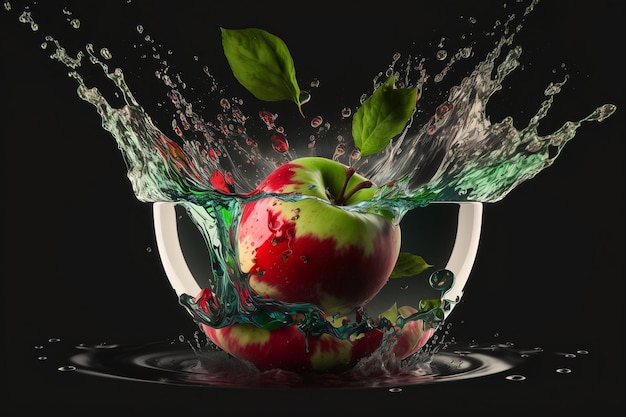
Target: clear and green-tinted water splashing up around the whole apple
column 211, row 167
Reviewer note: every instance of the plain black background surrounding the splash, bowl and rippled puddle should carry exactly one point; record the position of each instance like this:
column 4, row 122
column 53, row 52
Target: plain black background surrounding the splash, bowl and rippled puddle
column 75, row 258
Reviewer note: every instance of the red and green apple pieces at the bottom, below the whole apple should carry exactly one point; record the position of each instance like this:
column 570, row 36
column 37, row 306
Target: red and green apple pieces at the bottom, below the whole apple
column 286, row 347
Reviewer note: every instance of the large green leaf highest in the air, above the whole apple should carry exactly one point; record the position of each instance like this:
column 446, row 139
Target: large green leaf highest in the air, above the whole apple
column 261, row 62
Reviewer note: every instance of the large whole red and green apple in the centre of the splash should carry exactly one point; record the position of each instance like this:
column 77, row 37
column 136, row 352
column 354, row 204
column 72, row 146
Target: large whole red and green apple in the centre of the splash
column 308, row 251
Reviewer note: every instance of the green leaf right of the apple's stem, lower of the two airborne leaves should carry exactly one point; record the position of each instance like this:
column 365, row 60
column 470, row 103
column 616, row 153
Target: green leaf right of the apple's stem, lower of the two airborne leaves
column 382, row 116
